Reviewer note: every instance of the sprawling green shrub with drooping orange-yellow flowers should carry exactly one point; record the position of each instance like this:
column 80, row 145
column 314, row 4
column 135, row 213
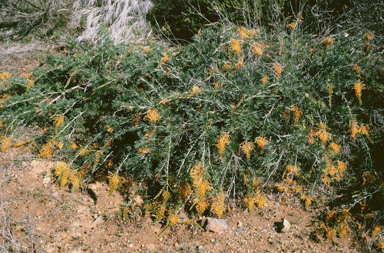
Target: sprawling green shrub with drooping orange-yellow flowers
column 234, row 114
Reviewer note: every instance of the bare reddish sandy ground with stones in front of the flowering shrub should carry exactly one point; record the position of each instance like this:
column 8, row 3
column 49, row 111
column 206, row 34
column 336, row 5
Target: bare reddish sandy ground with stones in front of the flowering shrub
column 38, row 216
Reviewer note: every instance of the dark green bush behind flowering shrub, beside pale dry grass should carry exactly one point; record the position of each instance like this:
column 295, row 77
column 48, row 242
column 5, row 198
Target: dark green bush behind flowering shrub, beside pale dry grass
column 181, row 19
